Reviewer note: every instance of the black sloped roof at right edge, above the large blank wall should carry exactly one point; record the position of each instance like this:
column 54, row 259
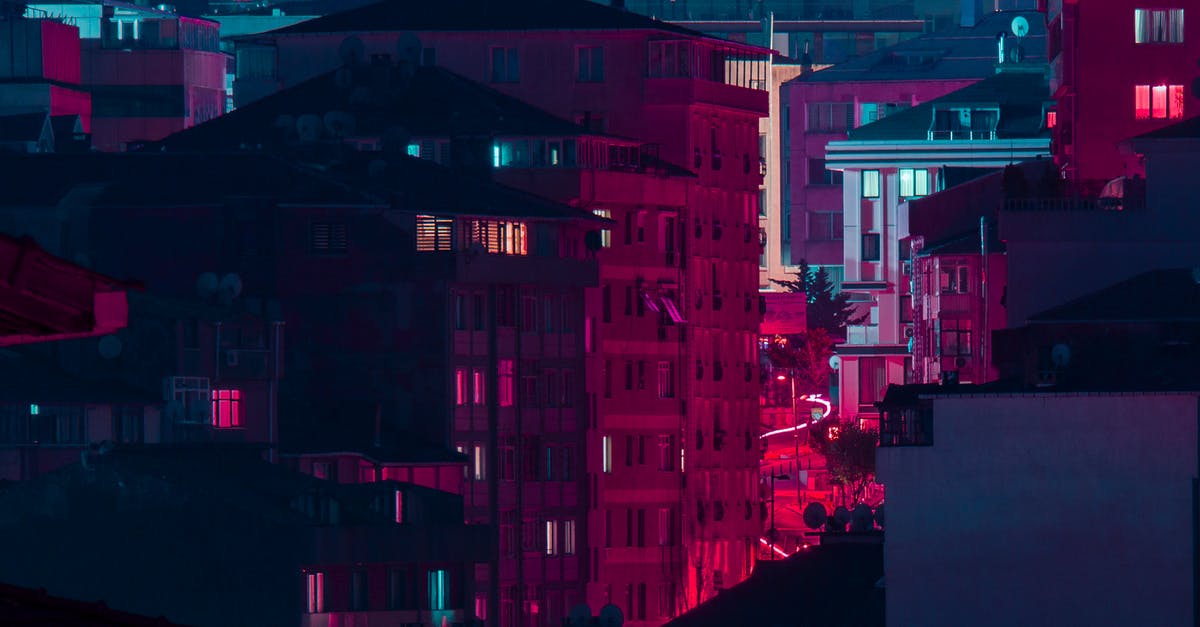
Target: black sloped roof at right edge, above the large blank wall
column 1157, row 296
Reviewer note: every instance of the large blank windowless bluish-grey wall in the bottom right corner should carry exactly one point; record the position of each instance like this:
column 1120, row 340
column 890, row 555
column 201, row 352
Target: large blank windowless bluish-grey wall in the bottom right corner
column 1045, row 510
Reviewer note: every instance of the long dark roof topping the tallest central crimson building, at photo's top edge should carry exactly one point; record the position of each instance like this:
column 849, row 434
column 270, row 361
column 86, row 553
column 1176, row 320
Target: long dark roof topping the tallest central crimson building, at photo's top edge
column 483, row 15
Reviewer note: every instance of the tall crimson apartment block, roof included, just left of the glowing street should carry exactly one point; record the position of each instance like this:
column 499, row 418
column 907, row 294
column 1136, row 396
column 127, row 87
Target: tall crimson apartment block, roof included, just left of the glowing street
column 697, row 105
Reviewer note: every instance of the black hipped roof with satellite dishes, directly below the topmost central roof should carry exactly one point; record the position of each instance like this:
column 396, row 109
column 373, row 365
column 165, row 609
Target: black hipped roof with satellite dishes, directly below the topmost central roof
column 434, row 103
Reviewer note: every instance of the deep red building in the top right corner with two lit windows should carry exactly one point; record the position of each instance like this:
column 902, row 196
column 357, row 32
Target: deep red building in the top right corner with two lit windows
column 1120, row 69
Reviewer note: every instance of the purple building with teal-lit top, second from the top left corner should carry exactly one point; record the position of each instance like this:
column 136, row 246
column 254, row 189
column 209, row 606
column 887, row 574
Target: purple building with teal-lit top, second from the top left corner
column 151, row 73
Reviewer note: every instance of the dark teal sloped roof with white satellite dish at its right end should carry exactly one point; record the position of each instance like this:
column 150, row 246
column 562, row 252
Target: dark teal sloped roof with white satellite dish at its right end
column 962, row 52
